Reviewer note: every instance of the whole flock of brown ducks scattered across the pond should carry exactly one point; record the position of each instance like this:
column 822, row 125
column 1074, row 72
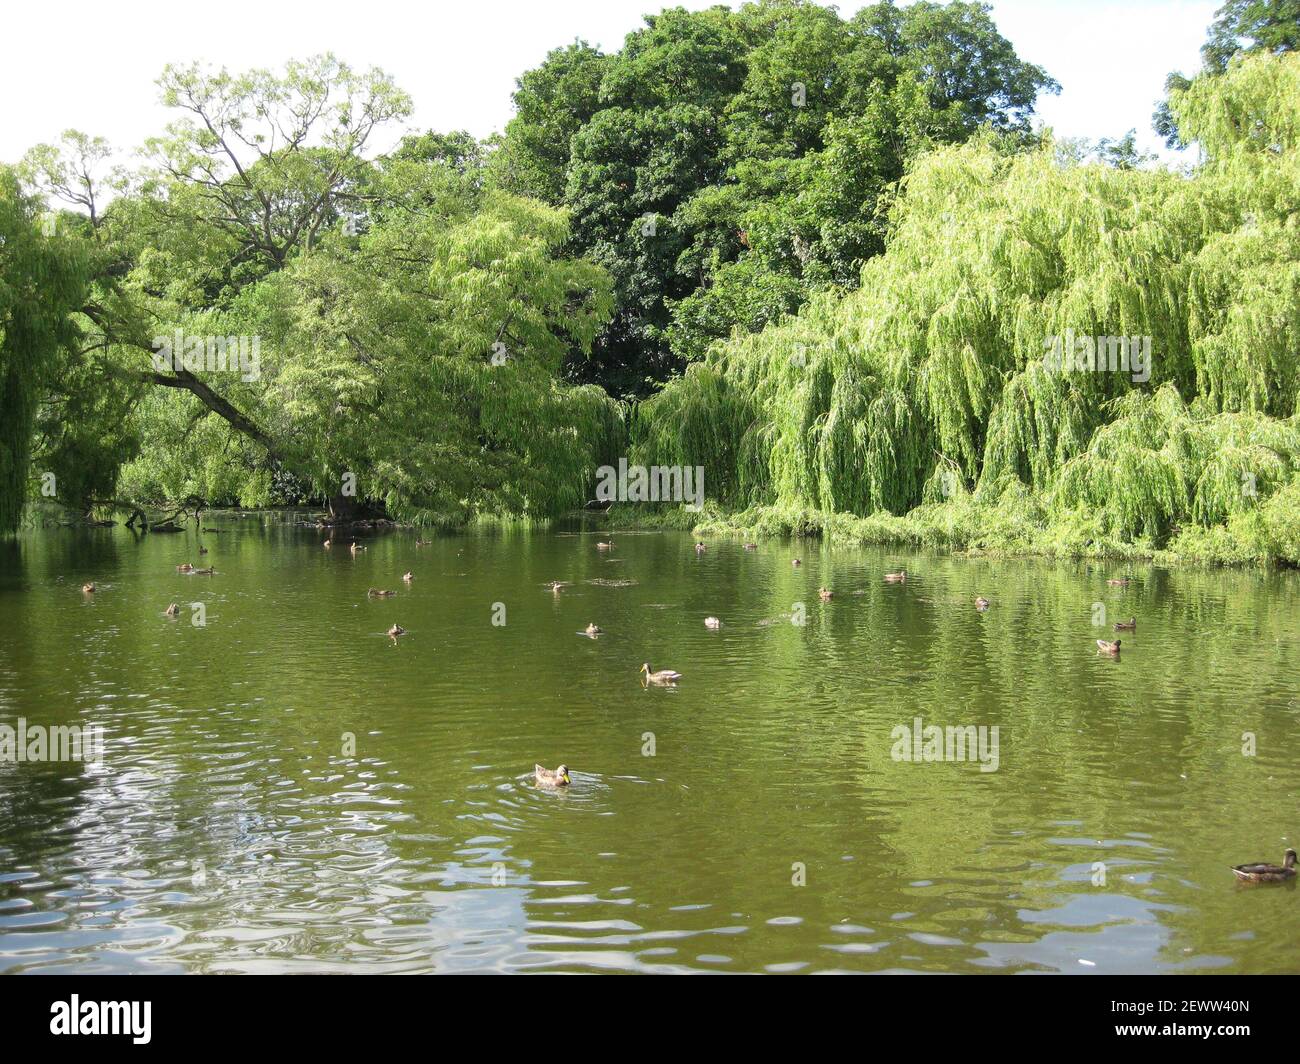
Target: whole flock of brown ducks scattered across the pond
column 560, row 777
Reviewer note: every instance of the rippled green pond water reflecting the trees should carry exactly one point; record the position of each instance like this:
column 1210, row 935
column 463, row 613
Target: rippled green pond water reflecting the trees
column 231, row 827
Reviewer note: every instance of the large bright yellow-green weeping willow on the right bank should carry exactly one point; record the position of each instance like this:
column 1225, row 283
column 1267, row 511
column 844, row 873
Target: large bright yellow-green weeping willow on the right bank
column 1116, row 349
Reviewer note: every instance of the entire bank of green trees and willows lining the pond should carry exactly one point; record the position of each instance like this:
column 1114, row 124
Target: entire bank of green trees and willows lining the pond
column 857, row 284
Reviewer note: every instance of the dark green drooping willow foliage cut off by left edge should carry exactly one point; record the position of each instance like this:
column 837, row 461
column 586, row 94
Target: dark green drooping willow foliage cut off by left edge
column 42, row 282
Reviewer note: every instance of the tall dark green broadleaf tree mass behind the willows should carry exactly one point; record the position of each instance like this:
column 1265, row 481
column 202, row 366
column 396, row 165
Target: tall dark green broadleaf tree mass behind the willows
column 725, row 166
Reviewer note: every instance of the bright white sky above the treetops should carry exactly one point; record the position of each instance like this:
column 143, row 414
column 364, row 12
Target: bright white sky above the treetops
column 83, row 66
